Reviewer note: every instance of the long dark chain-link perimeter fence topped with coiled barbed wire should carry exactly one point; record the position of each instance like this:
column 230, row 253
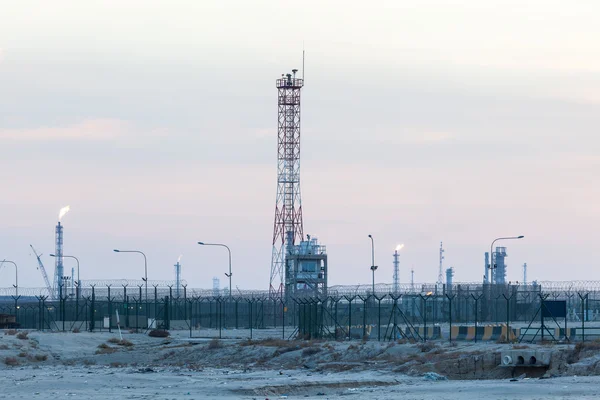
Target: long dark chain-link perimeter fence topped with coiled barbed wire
column 470, row 312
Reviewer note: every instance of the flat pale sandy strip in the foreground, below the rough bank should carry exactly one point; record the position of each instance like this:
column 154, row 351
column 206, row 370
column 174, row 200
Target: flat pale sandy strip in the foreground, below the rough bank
column 129, row 383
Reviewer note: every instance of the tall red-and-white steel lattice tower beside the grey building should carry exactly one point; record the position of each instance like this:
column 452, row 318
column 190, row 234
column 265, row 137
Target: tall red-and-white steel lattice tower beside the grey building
column 287, row 229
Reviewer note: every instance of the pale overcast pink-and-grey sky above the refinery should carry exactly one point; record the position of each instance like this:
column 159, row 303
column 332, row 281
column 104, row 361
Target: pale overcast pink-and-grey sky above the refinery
column 422, row 122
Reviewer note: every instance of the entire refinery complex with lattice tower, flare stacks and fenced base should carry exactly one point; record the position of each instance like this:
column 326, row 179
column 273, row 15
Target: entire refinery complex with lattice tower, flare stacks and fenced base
column 298, row 288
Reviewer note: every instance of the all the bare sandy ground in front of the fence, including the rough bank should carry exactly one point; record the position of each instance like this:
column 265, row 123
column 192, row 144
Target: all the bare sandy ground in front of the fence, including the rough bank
column 65, row 365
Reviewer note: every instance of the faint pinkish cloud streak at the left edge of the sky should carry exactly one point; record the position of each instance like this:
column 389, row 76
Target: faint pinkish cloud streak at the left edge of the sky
column 87, row 130
